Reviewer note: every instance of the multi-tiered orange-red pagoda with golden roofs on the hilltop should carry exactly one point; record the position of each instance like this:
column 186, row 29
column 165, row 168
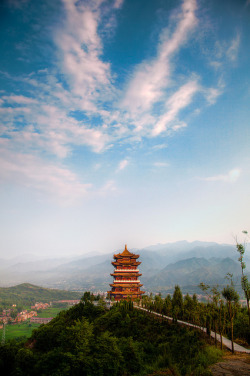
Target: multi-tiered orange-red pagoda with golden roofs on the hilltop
column 126, row 284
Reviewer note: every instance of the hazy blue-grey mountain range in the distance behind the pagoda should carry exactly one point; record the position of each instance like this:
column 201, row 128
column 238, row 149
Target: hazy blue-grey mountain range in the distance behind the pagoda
column 162, row 267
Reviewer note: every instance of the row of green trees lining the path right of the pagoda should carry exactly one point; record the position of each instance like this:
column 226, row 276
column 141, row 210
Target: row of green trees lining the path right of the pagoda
column 221, row 313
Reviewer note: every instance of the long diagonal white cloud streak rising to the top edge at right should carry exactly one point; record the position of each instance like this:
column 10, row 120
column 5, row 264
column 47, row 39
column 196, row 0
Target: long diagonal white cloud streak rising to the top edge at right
column 151, row 78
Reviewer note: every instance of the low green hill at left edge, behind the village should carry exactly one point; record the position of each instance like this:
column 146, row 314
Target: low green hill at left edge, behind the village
column 27, row 294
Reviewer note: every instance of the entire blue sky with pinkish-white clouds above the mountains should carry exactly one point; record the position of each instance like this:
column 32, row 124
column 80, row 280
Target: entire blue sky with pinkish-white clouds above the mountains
column 123, row 122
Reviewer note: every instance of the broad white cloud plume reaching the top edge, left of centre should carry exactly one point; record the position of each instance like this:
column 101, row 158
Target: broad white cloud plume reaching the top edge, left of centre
column 80, row 49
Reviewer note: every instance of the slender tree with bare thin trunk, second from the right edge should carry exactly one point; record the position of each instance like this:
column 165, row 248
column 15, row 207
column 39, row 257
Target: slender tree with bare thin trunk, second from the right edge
column 232, row 298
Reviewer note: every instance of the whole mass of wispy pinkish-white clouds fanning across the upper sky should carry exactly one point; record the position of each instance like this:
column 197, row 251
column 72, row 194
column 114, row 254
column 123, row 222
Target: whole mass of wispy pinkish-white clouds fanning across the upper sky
column 80, row 110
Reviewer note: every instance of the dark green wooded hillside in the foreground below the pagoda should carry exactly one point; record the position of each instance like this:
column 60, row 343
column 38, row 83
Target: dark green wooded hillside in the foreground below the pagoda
column 89, row 340
